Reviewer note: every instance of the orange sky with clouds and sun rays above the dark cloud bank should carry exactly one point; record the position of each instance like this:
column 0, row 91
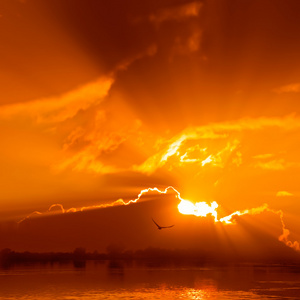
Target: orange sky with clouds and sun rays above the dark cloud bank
column 102, row 99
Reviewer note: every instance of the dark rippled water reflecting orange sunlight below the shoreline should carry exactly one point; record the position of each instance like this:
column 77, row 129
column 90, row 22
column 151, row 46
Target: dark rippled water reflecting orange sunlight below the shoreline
column 117, row 281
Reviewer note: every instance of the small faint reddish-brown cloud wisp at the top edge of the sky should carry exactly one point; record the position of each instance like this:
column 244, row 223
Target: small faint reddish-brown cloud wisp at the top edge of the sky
column 176, row 13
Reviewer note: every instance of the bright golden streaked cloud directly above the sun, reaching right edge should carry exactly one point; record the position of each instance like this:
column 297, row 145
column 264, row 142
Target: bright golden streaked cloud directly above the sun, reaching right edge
column 226, row 133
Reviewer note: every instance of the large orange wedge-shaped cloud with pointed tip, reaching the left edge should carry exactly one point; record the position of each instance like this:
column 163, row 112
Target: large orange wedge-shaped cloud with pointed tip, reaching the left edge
column 78, row 121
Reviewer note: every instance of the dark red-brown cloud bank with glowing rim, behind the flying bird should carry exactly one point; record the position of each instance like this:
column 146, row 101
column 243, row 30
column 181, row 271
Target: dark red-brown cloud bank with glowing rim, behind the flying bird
column 252, row 238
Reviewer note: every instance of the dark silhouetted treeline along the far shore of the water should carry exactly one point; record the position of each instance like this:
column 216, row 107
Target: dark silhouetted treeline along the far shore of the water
column 151, row 256
